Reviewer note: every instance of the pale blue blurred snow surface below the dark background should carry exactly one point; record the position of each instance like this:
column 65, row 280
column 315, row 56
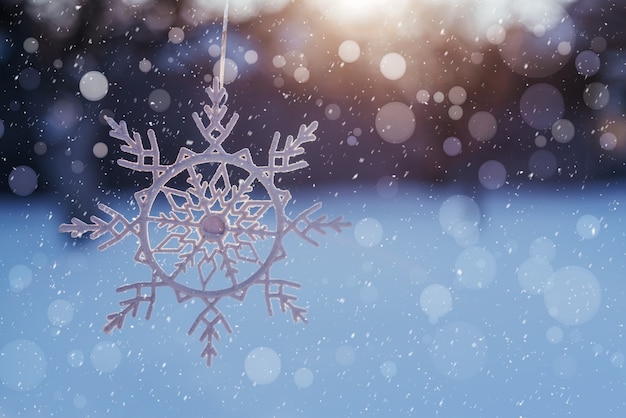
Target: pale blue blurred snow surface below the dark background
column 435, row 303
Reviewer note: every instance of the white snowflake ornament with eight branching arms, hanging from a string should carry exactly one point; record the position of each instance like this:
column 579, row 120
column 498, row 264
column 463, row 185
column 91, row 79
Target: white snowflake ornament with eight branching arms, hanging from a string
column 211, row 224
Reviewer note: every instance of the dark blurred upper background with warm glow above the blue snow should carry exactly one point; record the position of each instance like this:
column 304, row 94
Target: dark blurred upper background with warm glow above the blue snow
column 424, row 91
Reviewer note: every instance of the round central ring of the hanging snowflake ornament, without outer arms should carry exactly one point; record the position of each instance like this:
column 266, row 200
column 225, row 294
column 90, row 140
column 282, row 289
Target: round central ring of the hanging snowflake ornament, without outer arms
column 213, row 227
